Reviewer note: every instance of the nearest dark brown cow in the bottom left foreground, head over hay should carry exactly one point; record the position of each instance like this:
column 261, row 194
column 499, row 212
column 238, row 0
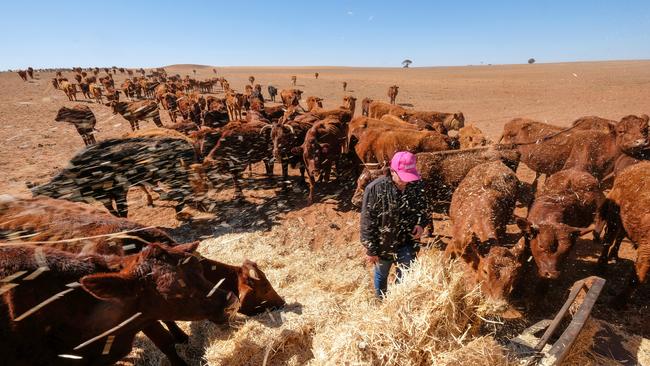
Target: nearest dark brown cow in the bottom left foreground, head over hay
column 133, row 293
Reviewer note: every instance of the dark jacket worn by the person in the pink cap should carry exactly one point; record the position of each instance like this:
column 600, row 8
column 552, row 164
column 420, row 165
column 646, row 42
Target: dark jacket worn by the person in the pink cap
column 388, row 216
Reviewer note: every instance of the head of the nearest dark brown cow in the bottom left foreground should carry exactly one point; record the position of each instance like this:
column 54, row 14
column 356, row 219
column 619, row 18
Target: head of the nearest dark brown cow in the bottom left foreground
column 165, row 283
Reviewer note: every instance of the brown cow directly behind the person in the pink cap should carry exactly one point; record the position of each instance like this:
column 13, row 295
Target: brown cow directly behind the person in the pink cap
column 444, row 170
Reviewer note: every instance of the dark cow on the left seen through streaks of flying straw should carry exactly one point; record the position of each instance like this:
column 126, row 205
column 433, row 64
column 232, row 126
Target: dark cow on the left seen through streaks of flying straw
column 105, row 172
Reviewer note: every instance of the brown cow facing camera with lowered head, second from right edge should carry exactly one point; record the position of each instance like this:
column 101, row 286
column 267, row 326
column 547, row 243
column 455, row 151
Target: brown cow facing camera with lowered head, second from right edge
column 560, row 214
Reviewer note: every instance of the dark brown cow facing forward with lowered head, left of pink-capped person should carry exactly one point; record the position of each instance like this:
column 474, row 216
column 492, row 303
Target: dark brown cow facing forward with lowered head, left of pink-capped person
column 320, row 150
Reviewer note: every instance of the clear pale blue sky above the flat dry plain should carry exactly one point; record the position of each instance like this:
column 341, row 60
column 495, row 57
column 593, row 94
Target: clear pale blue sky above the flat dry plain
column 48, row 33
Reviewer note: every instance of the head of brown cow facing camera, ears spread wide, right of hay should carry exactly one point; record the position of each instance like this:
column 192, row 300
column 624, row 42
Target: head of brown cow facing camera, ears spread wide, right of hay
column 550, row 242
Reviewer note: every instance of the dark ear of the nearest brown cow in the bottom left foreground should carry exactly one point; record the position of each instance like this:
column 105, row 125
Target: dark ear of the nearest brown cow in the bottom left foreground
column 106, row 286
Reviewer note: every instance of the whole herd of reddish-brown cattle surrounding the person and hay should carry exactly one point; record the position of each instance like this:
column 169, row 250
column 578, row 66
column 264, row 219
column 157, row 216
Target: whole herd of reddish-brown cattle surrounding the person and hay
column 119, row 277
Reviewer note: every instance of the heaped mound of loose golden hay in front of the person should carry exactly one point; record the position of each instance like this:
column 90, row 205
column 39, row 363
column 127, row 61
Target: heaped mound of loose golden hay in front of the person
column 429, row 319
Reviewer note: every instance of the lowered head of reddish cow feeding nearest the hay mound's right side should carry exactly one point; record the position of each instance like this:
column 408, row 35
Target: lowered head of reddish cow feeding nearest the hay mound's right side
column 499, row 270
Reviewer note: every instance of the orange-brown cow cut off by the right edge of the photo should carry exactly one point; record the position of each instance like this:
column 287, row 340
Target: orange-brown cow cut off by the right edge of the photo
column 626, row 213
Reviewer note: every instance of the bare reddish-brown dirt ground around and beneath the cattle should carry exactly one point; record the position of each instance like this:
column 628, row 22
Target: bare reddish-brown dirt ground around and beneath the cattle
column 35, row 147
